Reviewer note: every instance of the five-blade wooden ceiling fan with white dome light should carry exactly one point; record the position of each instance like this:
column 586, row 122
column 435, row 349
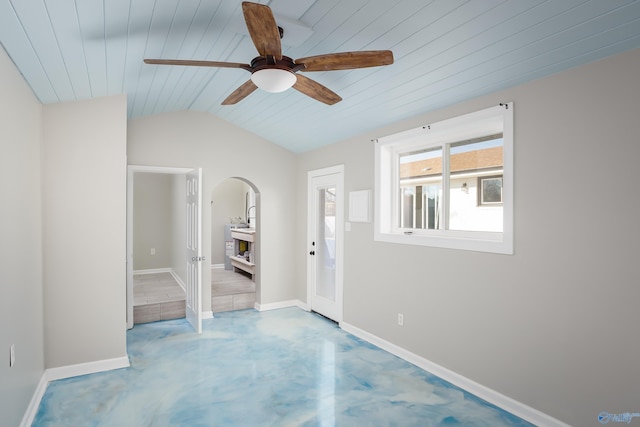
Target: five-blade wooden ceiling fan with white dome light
column 274, row 72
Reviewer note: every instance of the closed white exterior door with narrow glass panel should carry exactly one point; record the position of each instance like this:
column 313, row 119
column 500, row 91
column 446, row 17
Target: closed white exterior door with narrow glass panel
column 325, row 226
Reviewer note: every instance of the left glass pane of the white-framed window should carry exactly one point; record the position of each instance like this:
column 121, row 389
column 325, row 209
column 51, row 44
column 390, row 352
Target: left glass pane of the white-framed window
column 420, row 188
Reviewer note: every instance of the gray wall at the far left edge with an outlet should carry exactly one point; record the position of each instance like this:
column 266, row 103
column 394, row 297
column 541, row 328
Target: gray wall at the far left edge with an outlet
column 20, row 243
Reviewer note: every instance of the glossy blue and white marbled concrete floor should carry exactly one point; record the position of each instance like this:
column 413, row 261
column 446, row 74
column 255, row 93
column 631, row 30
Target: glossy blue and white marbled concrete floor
column 277, row 368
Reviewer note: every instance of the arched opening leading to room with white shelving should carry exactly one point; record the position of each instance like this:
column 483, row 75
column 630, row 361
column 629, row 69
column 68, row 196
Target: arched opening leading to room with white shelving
column 235, row 245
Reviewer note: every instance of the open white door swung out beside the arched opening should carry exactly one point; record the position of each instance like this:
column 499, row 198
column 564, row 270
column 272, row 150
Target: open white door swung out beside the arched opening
column 194, row 249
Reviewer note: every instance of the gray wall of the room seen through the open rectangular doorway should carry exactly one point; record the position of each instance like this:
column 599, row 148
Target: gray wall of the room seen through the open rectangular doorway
column 152, row 220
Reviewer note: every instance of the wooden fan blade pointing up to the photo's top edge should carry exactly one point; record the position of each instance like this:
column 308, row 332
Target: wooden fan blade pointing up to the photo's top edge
column 263, row 29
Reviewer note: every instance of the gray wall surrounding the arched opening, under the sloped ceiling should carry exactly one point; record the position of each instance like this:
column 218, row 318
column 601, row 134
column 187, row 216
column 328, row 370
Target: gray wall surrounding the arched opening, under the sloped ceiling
column 193, row 139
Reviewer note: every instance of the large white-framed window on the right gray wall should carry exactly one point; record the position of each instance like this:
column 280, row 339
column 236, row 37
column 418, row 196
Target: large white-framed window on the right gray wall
column 449, row 184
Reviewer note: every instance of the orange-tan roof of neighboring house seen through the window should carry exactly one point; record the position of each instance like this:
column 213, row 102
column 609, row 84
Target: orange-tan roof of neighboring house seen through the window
column 488, row 158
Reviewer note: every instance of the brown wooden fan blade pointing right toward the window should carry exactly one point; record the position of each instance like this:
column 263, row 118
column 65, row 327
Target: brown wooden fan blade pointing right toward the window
column 346, row 60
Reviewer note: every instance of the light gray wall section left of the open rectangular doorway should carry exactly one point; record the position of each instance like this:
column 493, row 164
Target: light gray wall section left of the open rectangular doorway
column 84, row 232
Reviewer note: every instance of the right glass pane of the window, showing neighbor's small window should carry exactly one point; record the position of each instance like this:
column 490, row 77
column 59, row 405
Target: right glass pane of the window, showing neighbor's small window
column 470, row 161
